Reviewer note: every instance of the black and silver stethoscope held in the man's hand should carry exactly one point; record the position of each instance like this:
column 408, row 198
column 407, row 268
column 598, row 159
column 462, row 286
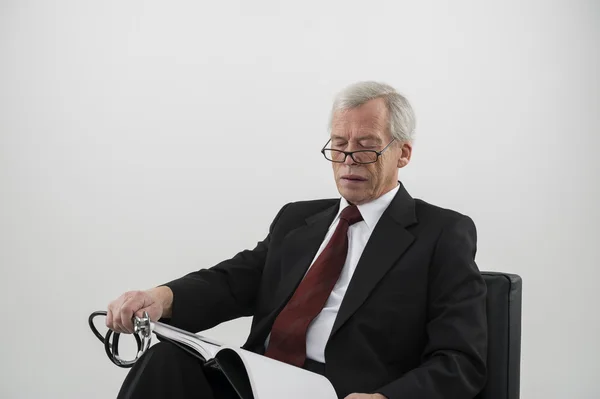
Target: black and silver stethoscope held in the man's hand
column 142, row 329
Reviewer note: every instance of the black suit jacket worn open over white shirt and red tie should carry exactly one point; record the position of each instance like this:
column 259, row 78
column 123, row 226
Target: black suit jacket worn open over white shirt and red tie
column 412, row 323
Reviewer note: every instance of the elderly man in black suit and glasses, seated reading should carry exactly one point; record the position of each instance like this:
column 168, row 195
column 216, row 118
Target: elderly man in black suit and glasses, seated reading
column 377, row 291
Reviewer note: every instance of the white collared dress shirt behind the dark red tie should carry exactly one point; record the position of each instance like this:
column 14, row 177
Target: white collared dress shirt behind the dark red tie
column 358, row 236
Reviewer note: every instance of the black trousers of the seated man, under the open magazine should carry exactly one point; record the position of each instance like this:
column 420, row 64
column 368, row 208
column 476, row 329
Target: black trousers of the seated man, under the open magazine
column 167, row 371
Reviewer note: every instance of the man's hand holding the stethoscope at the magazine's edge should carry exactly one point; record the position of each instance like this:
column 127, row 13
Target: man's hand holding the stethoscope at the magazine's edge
column 157, row 302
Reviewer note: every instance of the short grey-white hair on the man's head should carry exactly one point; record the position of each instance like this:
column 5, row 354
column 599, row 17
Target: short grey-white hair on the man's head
column 401, row 115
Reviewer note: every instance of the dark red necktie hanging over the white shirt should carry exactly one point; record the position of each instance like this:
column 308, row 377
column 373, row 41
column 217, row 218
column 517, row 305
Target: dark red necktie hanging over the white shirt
column 288, row 335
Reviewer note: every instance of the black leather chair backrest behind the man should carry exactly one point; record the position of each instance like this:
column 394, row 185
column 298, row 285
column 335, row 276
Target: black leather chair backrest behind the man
column 504, row 336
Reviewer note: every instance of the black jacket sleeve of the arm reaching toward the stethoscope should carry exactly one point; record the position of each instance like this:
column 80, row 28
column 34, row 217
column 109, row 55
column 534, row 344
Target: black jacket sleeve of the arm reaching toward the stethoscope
column 207, row 297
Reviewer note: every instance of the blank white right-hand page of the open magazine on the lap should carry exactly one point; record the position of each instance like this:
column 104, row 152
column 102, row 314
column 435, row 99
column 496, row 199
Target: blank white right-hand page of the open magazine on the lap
column 271, row 379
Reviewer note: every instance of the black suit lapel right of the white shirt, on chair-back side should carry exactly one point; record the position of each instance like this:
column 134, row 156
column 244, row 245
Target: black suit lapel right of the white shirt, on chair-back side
column 387, row 243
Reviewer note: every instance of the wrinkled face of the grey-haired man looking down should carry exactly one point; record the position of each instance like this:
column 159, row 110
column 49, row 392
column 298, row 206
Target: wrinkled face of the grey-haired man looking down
column 366, row 128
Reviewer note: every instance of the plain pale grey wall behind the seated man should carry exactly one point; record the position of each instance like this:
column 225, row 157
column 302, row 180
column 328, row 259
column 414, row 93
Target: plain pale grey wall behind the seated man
column 141, row 140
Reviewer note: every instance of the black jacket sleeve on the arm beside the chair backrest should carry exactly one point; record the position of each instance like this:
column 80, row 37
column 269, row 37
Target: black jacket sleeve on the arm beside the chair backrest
column 454, row 360
